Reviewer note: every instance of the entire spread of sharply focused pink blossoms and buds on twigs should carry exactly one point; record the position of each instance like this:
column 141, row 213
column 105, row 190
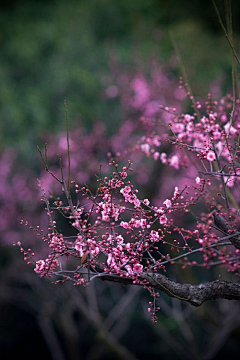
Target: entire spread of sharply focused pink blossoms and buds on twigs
column 192, row 219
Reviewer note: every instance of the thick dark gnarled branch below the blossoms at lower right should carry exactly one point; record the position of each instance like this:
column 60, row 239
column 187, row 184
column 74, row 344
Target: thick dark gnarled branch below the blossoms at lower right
column 195, row 294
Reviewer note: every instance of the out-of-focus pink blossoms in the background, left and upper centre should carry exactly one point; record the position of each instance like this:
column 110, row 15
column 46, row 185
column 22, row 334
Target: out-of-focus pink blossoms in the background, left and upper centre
column 18, row 185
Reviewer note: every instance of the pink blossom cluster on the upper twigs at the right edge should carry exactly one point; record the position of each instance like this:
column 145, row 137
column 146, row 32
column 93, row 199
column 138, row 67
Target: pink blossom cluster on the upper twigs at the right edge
column 200, row 145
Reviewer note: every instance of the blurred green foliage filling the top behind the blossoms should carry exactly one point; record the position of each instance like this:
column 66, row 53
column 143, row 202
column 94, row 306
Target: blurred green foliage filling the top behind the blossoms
column 57, row 50
